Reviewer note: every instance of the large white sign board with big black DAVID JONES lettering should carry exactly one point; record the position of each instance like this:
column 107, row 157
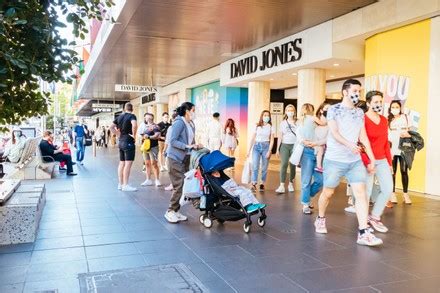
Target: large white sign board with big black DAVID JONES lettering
column 296, row 51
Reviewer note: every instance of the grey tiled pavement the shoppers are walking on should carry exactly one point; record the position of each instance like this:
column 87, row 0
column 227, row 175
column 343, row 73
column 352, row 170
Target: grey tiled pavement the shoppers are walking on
column 89, row 226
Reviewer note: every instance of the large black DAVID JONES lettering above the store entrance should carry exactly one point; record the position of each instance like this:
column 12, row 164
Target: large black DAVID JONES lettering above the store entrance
column 279, row 55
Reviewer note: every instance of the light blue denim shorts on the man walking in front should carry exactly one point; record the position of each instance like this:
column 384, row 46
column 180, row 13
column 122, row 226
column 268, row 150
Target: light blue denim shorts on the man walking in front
column 354, row 172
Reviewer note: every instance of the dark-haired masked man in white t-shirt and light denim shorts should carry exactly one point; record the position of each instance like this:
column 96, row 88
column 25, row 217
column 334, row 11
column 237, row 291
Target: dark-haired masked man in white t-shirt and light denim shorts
column 342, row 159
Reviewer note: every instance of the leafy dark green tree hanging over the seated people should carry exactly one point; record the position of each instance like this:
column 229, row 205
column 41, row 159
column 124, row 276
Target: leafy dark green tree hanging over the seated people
column 31, row 47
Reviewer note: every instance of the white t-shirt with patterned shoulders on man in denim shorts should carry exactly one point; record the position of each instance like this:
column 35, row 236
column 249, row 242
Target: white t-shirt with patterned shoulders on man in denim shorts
column 350, row 122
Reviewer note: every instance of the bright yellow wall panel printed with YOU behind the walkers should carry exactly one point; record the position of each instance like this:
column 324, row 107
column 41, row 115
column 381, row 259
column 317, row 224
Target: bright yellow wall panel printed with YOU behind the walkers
column 404, row 52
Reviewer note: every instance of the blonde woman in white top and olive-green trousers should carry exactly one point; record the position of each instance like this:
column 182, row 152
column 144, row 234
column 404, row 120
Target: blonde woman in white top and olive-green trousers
column 286, row 142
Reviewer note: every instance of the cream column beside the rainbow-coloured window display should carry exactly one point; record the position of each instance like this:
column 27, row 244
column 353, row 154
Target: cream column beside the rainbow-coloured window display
column 258, row 100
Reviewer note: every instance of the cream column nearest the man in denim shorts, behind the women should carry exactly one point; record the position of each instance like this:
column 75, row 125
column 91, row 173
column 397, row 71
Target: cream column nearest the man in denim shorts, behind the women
column 311, row 87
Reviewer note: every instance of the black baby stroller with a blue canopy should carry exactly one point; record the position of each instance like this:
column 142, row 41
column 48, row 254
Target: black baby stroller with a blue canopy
column 220, row 205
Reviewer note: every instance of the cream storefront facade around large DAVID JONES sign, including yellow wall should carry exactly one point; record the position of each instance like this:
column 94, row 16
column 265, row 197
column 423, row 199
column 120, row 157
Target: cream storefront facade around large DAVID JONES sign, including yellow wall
column 397, row 53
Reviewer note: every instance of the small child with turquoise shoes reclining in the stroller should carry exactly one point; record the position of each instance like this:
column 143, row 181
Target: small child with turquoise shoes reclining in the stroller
column 245, row 195
